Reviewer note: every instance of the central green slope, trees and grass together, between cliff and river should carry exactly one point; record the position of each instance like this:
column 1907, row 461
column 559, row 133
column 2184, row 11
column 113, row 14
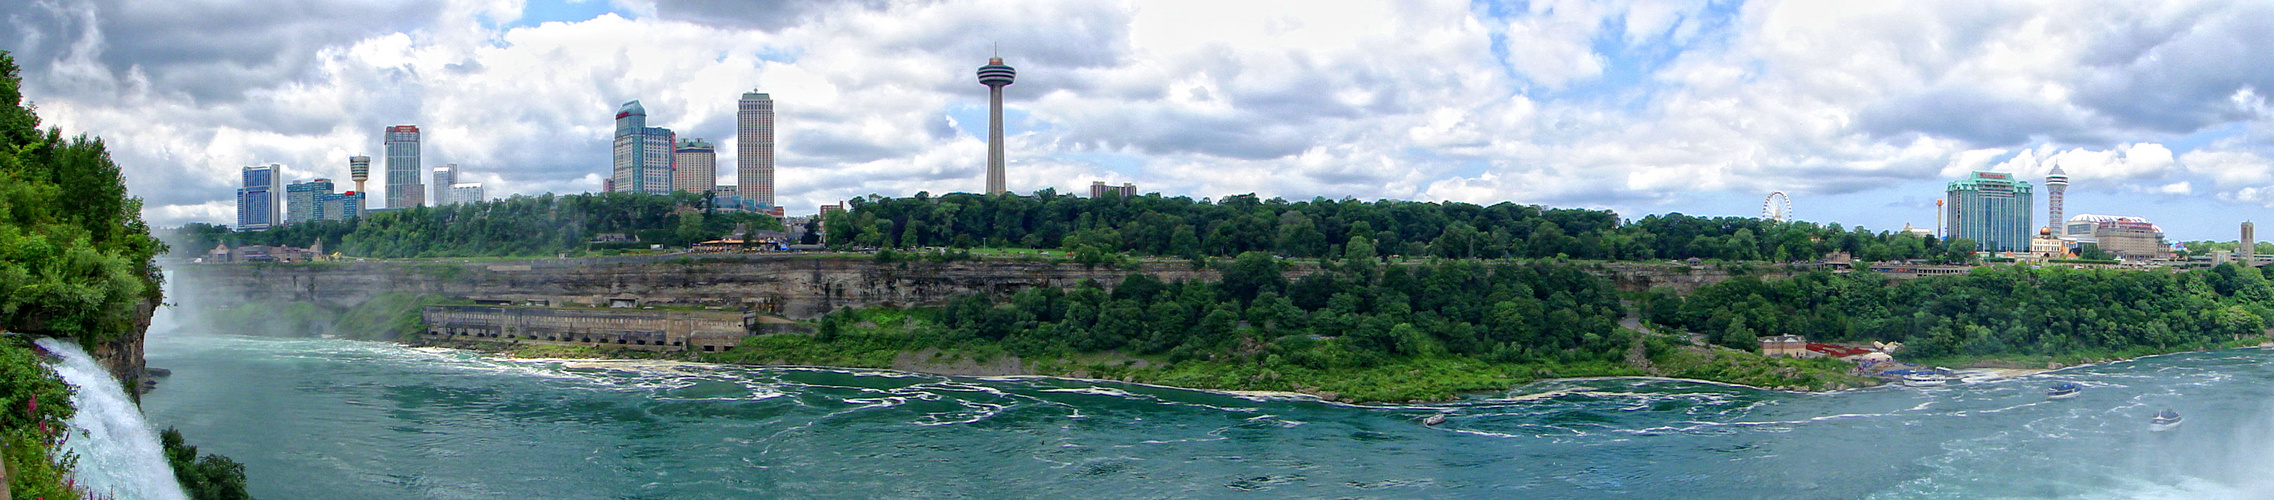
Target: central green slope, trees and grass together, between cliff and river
column 1356, row 331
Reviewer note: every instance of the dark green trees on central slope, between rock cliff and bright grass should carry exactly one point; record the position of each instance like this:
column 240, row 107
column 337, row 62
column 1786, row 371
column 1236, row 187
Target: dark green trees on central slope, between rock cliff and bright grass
column 1345, row 317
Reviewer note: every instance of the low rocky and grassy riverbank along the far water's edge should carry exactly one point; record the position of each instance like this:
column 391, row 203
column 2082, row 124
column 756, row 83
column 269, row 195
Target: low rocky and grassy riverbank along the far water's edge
column 1395, row 381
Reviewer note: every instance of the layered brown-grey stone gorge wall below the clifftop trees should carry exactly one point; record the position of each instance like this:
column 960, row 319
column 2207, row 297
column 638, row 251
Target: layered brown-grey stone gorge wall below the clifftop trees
column 788, row 285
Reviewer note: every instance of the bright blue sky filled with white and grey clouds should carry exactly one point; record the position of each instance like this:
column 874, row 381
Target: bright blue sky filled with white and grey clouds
column 1861, row 112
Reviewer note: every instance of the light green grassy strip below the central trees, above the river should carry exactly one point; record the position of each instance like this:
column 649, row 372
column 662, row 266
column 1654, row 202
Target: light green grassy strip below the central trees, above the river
column 883, row 337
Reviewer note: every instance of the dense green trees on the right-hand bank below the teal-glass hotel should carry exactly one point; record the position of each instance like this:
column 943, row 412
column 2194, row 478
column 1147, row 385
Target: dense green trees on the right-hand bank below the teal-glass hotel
column 2000, row 310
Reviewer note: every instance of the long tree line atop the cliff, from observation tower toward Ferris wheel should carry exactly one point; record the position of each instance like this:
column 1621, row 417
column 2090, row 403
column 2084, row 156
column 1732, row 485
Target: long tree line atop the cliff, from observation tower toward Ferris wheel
column 1316, row 228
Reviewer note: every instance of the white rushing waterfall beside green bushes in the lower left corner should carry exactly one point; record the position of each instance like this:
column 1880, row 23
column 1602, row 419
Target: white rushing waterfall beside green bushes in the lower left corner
column 119, row 453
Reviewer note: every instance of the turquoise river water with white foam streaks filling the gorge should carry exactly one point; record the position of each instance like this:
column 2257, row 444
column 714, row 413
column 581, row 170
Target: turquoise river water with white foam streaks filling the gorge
column 351, row 419
